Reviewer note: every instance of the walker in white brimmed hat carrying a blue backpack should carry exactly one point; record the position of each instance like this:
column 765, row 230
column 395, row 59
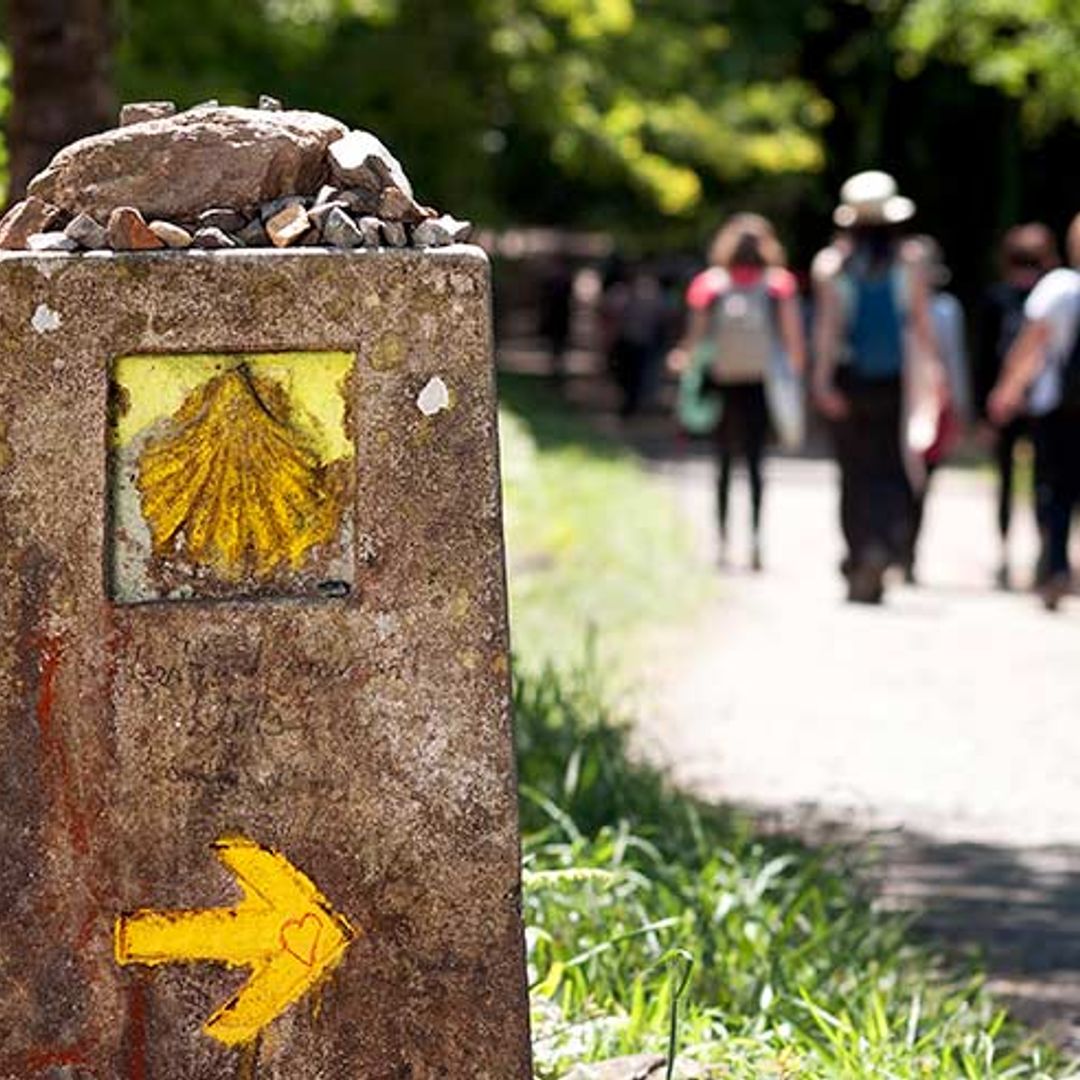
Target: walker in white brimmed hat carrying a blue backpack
column 879, row 379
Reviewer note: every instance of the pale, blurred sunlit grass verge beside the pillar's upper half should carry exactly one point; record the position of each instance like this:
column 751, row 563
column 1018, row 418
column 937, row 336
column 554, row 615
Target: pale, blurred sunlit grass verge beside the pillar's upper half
column 593, row 543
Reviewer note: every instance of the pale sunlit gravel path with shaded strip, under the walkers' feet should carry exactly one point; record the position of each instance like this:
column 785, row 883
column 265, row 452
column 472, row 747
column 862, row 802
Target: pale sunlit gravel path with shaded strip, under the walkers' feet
column 944, row 727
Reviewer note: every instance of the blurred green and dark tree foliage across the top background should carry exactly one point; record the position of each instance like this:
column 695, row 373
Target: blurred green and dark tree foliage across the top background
column 654, row 119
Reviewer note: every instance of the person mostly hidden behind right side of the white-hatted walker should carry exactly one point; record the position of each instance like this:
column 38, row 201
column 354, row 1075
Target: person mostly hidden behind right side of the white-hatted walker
column 951, row 340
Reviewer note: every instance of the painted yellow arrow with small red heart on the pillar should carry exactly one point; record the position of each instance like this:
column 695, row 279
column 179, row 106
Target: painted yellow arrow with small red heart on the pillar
column 283, row 929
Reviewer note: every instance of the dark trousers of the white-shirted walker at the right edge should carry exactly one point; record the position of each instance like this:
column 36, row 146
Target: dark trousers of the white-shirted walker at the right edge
column 1057, row 484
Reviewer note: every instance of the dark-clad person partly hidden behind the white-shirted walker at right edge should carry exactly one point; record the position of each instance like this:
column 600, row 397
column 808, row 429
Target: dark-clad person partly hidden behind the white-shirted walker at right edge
column 1028, row 253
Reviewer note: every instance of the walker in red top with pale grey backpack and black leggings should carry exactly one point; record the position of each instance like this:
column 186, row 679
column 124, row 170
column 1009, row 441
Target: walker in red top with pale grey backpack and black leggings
column 741, row 358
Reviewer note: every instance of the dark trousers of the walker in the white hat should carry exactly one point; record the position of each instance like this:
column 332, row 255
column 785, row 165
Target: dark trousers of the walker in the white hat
column 876, row 497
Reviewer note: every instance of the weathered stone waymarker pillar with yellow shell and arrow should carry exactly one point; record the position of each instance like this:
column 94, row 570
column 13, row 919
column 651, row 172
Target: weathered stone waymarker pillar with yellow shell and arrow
column 255, row 763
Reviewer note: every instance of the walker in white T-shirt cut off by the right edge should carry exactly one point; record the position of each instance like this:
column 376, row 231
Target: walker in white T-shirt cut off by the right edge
column 1044, row 370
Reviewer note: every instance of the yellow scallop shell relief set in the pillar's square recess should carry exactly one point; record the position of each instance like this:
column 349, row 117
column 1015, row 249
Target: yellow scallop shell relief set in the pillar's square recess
column 233, row 488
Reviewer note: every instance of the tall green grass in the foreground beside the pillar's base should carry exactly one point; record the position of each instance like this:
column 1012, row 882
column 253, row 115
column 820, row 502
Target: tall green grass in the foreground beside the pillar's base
column 659, row 924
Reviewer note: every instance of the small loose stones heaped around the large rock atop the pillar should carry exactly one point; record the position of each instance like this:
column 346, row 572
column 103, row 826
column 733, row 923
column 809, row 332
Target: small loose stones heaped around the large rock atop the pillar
column 368, row 202
